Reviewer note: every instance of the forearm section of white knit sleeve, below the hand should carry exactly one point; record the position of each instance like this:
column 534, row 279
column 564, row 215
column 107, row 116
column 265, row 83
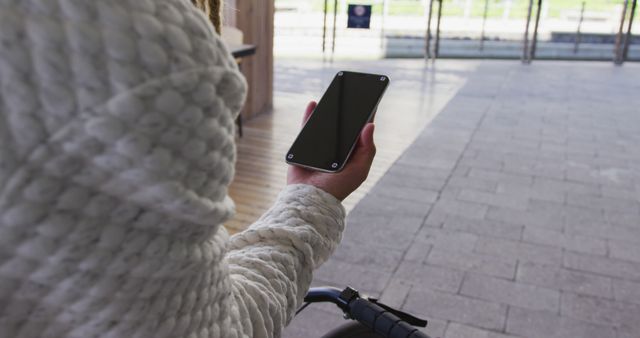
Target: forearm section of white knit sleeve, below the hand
column 271, row 263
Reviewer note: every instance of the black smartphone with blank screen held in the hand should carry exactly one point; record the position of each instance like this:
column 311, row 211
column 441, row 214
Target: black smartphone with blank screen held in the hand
column 331, row 133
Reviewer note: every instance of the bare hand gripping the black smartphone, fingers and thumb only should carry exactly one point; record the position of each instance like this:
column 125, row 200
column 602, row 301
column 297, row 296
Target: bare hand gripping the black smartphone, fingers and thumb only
column 345, row 182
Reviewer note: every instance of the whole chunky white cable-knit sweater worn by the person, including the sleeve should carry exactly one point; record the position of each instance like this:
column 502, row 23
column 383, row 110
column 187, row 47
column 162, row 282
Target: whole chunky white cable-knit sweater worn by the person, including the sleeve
column 116, row 150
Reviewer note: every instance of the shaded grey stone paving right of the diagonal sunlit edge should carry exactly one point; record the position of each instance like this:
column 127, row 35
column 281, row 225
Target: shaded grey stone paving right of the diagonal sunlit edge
column 516, row 212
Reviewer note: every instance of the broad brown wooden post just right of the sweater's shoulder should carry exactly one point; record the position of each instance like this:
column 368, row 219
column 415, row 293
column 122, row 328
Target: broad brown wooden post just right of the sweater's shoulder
column 255, row 20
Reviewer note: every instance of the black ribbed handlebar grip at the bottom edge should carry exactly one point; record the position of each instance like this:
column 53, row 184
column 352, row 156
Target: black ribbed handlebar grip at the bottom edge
column 382, row 321
